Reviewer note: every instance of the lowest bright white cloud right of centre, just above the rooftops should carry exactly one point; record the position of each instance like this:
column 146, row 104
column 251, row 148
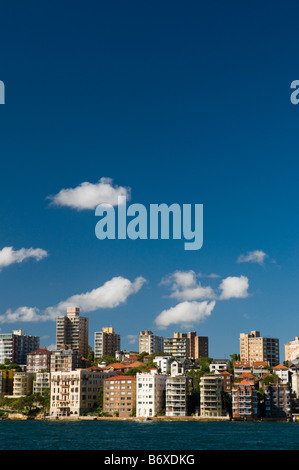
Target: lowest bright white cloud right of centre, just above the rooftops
column 185, row 314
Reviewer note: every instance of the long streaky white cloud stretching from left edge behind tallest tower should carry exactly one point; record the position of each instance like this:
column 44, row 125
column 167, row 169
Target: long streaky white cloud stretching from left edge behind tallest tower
column 109, row 295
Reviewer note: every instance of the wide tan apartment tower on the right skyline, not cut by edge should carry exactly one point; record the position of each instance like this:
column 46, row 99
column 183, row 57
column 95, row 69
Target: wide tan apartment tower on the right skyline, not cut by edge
column 254, row 347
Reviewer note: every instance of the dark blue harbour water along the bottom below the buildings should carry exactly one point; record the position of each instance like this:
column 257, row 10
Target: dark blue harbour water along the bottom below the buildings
column 149, row 435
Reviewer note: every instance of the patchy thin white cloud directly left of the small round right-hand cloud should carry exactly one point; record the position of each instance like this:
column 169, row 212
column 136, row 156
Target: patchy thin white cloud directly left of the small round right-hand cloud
column 185, row 286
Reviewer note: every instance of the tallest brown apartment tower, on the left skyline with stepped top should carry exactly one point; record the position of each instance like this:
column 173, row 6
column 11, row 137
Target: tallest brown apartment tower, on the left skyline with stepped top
column 72, row 332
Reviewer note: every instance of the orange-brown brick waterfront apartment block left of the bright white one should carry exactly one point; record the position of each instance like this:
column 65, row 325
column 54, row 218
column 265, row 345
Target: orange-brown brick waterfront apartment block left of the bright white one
column 119, row 398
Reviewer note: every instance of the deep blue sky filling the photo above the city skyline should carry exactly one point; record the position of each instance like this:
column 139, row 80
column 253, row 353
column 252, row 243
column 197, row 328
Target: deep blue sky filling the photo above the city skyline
column 186, row 104
